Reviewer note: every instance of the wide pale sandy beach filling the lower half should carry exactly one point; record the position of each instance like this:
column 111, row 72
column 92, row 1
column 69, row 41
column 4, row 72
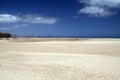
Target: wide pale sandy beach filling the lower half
column 84, row 59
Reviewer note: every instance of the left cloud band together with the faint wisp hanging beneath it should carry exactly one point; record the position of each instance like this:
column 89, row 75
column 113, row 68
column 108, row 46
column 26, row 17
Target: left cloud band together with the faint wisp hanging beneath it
column 24, row 20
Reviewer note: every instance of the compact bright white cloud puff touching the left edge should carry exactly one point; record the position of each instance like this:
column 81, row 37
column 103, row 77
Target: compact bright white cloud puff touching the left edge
column 8, row 18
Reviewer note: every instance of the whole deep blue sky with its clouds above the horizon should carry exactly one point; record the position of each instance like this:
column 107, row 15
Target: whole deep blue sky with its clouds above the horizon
column 77, row 18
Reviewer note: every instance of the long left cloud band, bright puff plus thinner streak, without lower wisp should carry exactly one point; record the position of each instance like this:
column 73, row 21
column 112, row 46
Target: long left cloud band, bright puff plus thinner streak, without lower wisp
column 9, row 18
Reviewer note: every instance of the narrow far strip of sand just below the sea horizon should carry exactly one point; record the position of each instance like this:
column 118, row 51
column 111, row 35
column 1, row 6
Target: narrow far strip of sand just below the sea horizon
column 62, row 39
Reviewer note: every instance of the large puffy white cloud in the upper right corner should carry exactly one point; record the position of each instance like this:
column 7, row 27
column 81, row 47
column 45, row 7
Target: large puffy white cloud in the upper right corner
column 100, row 8
